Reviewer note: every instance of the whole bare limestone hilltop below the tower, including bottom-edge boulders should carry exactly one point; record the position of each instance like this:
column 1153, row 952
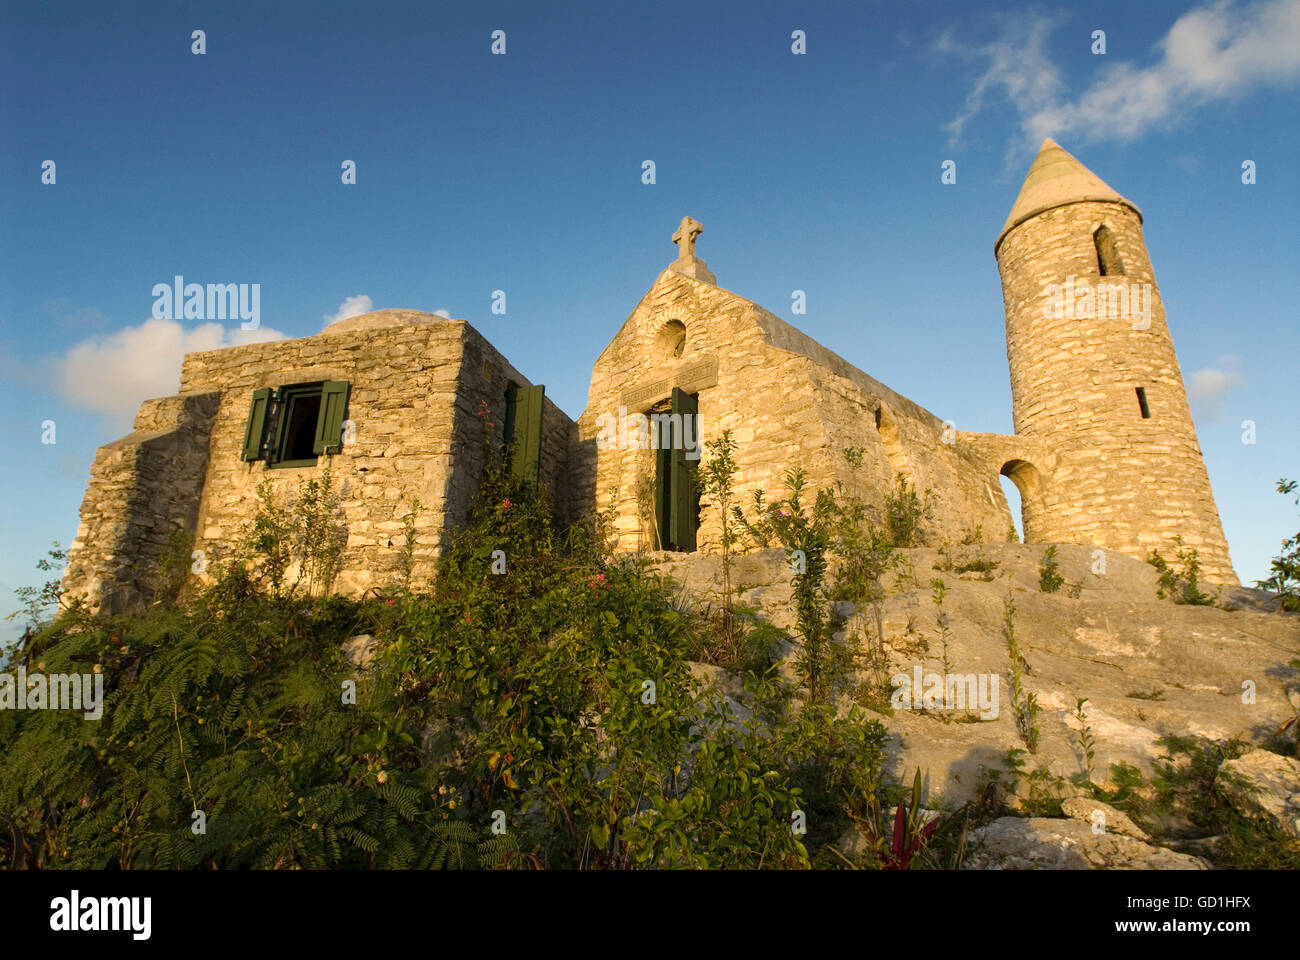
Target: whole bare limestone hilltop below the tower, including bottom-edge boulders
column 1147, row 667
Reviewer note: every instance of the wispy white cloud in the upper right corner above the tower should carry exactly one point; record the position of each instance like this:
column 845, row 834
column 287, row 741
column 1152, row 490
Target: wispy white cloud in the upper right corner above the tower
column 1215, row 54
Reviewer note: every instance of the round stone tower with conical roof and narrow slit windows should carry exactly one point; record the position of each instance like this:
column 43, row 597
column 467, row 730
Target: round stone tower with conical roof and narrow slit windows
column 1095, row 380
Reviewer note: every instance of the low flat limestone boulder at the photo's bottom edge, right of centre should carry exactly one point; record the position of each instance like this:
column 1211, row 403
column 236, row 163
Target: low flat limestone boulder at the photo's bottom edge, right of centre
column 1038, row 844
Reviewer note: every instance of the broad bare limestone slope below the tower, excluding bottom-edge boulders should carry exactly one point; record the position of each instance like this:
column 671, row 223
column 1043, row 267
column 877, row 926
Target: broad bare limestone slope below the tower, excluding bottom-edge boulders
column 1147, row 667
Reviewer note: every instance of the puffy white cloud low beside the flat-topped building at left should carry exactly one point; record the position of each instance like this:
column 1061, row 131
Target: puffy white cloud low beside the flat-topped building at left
column 112, row 375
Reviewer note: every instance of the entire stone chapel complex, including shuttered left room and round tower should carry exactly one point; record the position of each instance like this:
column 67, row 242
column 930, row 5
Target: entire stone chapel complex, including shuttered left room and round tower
column 396, row 403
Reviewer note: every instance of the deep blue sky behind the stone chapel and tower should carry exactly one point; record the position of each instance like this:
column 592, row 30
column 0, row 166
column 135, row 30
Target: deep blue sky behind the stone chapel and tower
column 523, row 174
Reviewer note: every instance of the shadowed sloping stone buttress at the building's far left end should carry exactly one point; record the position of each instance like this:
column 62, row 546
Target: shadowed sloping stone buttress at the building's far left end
column 144, row 491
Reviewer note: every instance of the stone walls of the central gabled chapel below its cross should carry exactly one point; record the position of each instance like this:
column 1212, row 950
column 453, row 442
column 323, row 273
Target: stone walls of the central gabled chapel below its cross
column 788, row 403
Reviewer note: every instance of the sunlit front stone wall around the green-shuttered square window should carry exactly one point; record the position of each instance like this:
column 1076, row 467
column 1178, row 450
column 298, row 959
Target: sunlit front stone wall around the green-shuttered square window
column 404, row 386
